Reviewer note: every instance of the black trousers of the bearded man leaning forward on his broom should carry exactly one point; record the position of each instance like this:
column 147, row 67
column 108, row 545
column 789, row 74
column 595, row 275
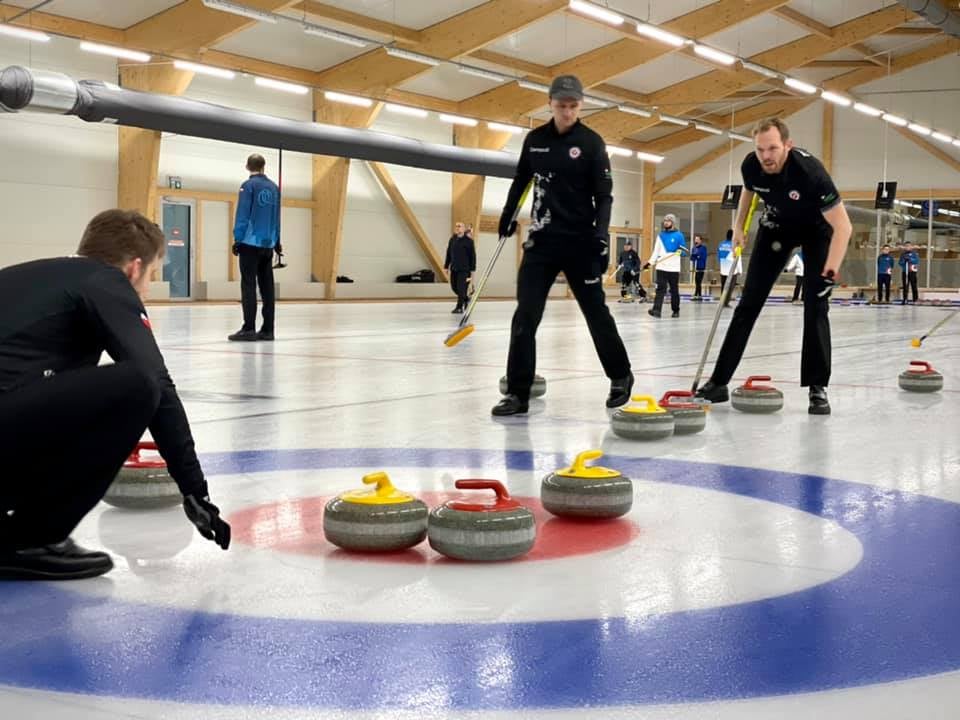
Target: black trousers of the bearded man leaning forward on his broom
column 766, row 264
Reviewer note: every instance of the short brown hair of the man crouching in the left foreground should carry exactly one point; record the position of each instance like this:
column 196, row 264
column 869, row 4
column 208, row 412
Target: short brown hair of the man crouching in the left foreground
column 118, row 236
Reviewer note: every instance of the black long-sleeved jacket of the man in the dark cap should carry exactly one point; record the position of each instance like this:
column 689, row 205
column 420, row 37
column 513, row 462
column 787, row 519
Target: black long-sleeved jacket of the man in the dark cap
column 573, row 188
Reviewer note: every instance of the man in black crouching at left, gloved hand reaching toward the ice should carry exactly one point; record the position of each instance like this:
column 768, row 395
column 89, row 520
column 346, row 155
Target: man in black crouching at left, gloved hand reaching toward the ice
column 67, row 424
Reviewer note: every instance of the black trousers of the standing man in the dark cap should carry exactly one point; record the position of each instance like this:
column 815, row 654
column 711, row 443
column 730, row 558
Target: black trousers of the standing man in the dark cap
column 539, row 269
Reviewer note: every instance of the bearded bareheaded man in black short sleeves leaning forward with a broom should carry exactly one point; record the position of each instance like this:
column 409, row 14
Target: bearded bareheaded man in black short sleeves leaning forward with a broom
column 803, row 209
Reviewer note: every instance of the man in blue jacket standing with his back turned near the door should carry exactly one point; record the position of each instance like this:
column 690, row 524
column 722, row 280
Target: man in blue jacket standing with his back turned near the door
column 256, row 236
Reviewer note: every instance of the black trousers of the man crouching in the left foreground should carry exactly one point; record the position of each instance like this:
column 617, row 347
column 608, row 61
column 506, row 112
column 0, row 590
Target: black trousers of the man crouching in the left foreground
column 63, row 439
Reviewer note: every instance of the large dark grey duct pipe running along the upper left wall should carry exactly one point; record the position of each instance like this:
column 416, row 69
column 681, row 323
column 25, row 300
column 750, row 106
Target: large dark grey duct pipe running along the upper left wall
column 23, row 89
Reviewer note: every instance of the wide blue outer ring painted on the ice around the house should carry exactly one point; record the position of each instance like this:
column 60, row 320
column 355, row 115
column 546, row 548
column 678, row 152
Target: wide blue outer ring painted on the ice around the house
column 891, row 617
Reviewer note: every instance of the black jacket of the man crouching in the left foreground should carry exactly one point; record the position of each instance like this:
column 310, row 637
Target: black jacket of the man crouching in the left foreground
column 61, row 314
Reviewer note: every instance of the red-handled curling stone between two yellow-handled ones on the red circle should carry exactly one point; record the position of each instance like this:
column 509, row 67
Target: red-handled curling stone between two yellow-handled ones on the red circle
column 465, row 530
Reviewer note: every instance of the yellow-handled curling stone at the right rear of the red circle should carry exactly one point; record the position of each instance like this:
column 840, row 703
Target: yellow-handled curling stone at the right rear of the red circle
column 590, row 492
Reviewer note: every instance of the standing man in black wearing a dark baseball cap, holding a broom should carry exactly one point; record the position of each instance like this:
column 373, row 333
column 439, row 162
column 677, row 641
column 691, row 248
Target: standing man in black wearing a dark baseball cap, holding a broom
column 572, row 198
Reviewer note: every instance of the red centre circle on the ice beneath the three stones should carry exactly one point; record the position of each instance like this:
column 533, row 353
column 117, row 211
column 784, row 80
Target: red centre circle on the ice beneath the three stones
column 296, row 526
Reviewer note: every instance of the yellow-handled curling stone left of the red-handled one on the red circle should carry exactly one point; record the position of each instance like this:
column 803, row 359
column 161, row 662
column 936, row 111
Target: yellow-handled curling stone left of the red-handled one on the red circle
column 378, row 519
